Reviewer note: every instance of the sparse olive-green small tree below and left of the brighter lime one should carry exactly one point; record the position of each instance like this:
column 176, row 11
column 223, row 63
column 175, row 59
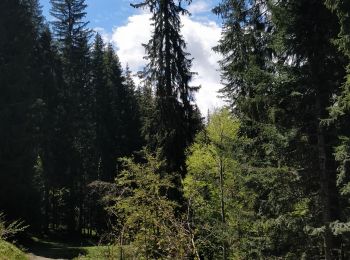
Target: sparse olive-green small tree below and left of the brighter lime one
column 148, row 219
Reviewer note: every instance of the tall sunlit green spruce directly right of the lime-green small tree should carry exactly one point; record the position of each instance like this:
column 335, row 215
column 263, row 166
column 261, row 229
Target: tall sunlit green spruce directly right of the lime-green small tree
column 248, row 88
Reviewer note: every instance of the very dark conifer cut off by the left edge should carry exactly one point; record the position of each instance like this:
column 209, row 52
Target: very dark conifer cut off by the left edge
column 18, row 46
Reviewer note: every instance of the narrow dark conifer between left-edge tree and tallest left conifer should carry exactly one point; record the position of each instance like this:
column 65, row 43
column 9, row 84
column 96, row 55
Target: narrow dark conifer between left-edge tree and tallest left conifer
column 48, row 139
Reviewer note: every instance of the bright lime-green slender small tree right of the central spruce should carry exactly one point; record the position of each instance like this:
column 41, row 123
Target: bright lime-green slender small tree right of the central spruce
column 209, row 185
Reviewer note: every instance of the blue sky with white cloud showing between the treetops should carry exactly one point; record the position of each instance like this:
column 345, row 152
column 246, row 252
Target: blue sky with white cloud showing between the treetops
column 127, row 28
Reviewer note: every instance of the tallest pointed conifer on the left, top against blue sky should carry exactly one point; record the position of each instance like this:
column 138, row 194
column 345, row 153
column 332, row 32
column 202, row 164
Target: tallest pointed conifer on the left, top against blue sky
column 77, row 135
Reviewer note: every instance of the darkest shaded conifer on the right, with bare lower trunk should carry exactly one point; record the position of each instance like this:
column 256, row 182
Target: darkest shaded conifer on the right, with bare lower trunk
column 319, row 69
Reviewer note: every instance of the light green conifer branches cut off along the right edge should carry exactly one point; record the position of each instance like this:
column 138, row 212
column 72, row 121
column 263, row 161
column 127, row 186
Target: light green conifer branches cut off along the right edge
column 339, row 117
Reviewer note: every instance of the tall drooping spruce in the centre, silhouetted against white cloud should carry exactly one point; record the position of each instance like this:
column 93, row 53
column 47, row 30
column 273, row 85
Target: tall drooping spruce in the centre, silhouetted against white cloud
column 169, row 72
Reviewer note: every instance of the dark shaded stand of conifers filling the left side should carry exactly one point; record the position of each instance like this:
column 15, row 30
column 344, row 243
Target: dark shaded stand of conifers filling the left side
column 68, row 111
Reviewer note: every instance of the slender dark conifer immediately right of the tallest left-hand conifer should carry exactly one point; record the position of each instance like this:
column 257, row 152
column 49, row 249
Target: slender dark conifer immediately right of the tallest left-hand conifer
column 107, row 79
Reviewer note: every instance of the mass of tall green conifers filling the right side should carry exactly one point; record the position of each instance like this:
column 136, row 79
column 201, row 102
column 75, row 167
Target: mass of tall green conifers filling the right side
column 282, row 77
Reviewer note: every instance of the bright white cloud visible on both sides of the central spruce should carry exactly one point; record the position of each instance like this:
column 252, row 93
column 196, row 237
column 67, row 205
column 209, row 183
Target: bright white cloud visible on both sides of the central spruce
column 200, row 38
